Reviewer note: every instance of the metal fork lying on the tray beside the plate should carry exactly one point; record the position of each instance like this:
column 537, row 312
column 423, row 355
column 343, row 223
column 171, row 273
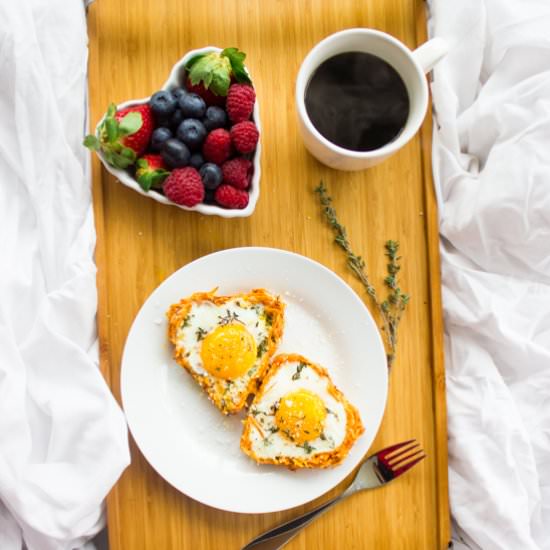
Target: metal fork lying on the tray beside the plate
column 377, row 470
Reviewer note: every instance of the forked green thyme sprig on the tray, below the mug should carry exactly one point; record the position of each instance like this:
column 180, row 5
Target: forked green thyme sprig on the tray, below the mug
column 392, row 308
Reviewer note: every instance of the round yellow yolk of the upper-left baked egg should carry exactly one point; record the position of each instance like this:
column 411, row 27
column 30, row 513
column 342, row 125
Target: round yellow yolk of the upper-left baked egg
column 228, row 351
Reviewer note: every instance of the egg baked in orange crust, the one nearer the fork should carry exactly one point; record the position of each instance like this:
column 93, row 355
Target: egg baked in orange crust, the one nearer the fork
column 299, row 418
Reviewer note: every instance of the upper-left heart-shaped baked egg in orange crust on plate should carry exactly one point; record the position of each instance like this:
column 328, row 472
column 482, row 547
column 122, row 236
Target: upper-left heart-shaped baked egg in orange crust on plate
column 226, row 342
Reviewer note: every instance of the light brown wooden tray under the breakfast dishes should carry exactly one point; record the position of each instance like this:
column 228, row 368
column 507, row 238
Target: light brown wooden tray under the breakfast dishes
column 133, row 45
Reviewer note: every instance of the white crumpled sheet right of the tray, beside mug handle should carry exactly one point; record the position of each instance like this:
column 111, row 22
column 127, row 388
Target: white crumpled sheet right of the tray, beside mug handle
column 491, row 161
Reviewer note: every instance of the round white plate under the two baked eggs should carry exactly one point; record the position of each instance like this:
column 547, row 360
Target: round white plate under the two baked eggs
column 187, row 440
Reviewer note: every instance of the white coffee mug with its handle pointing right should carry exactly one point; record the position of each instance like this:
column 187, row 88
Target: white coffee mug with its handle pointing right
column 411, row 66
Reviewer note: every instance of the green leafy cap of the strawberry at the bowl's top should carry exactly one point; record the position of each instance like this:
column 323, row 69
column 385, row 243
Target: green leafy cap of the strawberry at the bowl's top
column 215, row 71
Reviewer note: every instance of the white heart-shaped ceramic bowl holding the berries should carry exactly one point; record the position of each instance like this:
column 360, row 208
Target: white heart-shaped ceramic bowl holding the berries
column 175, row 80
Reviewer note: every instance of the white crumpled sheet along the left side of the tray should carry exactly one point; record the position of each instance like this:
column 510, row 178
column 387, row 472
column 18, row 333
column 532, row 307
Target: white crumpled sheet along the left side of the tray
column 63, row 439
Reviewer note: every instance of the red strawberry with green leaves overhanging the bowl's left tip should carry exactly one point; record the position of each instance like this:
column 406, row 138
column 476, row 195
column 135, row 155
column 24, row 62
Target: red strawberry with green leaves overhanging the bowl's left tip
column 123, row 135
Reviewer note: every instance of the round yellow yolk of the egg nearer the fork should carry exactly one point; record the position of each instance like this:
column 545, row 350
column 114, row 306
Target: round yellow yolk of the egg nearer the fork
column 301, row 416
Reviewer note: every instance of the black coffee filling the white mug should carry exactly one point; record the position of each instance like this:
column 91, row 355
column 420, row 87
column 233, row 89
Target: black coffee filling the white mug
column 357, row 101
